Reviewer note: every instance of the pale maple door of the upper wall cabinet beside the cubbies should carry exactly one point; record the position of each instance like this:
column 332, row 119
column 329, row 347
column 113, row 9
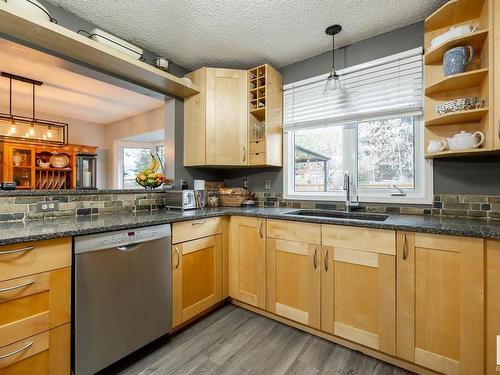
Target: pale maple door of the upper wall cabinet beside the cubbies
column 226, row 117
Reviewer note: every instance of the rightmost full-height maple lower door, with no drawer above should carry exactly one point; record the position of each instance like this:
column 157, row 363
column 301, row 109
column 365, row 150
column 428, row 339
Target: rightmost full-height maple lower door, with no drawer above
column 441, row 302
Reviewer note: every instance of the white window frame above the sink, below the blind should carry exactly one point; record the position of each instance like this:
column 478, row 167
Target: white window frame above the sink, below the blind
column 422, row 194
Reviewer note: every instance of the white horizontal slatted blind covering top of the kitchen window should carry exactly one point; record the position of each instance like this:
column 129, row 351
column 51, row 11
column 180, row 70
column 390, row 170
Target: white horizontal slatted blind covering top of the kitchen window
column 384, row 87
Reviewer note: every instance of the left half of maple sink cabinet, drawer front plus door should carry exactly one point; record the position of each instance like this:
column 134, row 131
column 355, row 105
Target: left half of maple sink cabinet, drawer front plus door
column 293, row 271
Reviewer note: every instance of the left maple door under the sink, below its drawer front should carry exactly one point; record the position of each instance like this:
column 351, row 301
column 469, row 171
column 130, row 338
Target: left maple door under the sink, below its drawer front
column 293, row 281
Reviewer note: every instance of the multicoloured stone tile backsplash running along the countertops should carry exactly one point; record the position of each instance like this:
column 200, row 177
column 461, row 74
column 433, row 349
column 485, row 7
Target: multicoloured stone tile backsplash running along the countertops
column 75, row 204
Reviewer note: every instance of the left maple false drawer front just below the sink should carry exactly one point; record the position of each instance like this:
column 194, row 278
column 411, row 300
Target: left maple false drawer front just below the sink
column 294, row 231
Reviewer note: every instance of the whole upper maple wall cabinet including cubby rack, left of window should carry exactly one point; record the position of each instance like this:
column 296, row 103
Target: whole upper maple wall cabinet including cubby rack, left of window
column 236, row 119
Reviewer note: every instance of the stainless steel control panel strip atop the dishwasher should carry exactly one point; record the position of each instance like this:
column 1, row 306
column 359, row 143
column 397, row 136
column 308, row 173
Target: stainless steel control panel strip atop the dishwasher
column 106, row 240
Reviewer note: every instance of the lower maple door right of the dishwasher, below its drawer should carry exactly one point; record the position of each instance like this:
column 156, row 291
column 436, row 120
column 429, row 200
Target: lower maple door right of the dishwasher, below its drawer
column 196, row 278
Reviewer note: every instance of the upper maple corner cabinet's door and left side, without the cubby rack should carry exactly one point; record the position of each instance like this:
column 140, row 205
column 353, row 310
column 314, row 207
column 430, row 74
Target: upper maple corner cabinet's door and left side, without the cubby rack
column 215, row 120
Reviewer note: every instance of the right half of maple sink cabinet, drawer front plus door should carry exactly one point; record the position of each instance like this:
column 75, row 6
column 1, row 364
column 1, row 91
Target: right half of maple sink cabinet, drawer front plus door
column 358, row 285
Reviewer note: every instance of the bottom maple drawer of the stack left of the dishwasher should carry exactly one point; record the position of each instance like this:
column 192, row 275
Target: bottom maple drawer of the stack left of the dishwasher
column 44, row 354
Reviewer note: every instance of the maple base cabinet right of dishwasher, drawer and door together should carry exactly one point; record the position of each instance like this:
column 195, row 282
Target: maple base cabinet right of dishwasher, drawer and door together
column 196, row 268
